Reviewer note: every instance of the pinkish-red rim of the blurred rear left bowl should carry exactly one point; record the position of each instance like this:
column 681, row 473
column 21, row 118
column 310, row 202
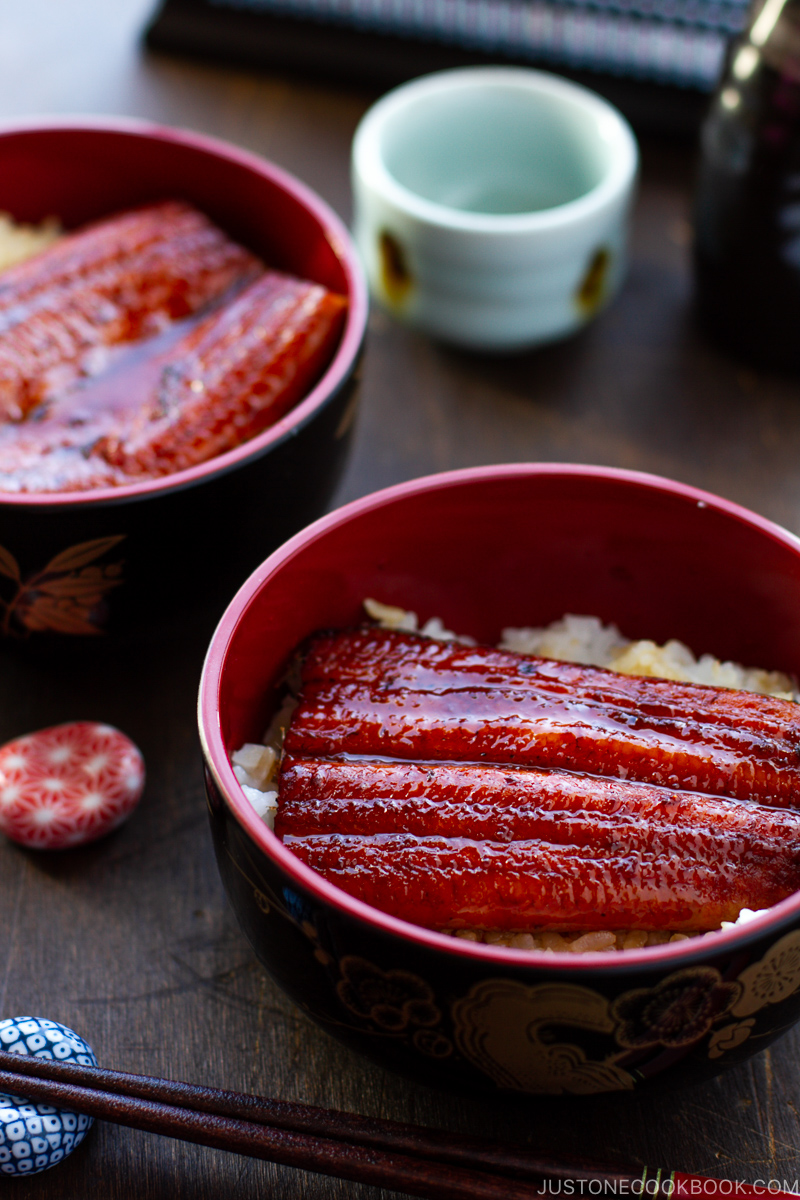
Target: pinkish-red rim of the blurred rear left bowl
column 326, row 389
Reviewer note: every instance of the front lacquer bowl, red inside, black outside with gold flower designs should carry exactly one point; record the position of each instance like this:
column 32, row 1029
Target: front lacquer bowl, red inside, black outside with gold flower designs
column 512, row 545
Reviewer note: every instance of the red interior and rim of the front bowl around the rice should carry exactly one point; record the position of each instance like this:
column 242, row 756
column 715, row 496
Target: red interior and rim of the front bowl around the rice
column 512, row 545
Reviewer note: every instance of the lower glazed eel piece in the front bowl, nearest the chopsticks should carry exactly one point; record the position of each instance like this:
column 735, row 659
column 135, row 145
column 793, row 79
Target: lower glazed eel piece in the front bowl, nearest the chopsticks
column 465, row 845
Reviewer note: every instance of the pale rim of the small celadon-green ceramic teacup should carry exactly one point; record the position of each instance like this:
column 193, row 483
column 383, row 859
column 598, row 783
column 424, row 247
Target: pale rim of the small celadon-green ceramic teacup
column 371, row 172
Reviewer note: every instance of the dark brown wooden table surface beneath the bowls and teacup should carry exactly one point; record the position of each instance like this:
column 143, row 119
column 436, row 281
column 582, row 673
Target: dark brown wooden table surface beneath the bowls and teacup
column 131, row 941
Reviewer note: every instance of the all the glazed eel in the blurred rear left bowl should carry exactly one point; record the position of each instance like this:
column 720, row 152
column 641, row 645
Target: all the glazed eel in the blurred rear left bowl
column 147, row 344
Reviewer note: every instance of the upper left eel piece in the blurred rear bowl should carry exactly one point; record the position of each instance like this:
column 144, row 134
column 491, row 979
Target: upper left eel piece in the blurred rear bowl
column 116, row 281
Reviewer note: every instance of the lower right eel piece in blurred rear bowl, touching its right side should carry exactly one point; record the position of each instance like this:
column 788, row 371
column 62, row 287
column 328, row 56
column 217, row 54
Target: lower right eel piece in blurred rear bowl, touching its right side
column 238, row 371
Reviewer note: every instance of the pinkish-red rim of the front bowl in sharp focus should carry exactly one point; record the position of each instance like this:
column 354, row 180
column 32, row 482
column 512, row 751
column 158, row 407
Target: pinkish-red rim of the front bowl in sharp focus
column 210, row 731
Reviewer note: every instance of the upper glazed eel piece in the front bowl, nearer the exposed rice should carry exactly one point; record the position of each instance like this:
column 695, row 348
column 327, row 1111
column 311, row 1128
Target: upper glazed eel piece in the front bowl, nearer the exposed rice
column 380, row 693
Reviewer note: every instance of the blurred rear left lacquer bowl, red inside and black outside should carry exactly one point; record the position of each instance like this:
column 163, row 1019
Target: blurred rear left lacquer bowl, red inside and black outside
column 149, row 545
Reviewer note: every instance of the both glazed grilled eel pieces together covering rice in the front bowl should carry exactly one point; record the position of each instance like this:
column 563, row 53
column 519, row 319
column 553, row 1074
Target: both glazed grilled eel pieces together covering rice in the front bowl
column 462, row 787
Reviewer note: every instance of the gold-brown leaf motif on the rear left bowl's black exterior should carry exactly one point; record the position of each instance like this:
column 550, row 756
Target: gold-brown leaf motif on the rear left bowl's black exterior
column 68, row 596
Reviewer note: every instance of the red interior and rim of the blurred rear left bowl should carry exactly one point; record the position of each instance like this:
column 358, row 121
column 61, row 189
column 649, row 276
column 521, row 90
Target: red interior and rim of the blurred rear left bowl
column 80, row 170
